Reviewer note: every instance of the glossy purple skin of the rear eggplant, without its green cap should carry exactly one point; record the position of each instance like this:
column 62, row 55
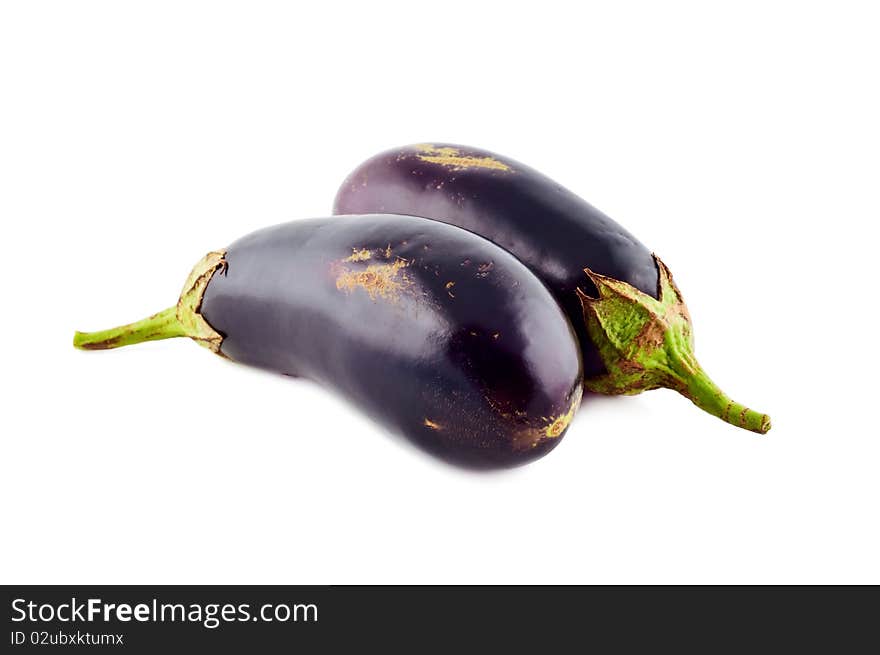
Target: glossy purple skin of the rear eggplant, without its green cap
column 550, row 229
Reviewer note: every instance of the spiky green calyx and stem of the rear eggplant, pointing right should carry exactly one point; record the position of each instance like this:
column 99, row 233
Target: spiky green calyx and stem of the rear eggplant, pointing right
column 647, row 343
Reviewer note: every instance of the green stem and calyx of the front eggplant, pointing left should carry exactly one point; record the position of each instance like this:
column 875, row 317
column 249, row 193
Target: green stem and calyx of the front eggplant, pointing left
column 182, row 320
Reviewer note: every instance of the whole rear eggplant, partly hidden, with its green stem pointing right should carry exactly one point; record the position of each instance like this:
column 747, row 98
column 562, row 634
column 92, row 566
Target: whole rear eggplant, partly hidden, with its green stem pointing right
column 631, row 321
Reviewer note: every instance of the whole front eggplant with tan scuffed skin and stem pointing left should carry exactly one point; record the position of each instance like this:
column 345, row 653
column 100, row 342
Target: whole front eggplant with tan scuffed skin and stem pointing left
column 436, row 332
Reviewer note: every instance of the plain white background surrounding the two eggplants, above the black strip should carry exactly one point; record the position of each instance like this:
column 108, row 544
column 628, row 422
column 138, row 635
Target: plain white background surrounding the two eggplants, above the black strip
column 738, row 140
